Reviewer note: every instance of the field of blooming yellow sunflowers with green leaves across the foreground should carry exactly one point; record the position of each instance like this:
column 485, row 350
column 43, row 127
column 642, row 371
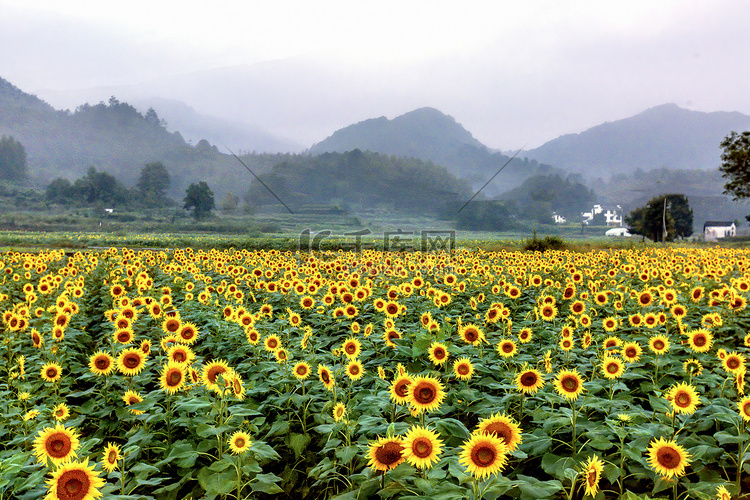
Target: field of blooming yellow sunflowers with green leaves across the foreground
column 176, row 374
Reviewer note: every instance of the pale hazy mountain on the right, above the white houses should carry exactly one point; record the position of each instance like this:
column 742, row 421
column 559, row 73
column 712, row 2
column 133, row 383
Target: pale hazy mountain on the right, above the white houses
column 664, row 136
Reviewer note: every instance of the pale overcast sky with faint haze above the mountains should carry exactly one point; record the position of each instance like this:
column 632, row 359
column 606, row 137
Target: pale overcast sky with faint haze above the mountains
column 513, row 73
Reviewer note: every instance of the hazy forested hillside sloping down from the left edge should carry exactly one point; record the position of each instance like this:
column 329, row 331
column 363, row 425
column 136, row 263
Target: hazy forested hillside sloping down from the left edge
column 114, row 137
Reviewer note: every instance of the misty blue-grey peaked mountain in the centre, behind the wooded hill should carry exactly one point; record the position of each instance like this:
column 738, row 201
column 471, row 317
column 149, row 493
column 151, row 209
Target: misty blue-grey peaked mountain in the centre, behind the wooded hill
column 430, row 135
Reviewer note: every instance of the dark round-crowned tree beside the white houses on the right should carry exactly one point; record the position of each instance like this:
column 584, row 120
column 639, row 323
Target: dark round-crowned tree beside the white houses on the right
column 671, row 210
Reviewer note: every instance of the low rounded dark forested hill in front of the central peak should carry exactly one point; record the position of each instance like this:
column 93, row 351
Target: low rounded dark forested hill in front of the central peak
column 359, row 178
